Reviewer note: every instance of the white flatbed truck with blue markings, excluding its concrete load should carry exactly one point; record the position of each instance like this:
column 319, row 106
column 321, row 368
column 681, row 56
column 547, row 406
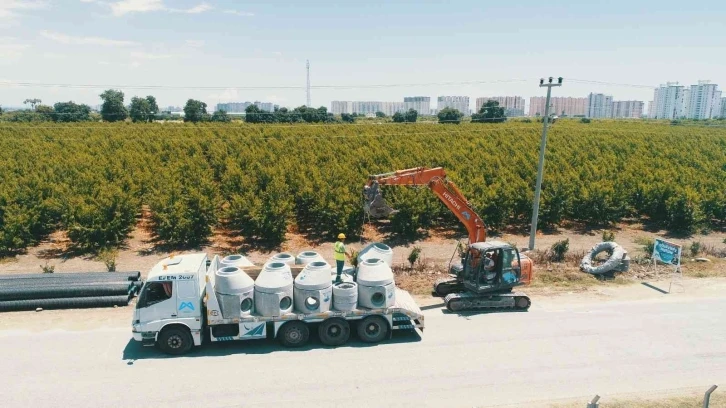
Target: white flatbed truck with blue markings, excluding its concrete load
column 178, row 308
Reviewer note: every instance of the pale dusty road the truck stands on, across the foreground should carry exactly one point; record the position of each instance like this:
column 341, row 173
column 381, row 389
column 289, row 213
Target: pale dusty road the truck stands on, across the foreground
column 554, row 351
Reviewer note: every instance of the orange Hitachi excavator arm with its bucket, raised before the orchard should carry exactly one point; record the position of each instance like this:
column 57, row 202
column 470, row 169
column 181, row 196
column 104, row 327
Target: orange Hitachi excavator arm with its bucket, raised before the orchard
column 435, row 179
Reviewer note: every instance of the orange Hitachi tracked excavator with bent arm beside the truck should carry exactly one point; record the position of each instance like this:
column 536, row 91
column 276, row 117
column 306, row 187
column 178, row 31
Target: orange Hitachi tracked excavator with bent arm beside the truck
column 488, row 272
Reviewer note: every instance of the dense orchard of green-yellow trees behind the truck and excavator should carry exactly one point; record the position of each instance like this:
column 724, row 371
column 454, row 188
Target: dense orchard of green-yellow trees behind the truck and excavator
column 259, row 182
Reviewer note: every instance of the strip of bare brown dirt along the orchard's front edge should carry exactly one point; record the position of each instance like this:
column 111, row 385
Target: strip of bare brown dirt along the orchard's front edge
column 437, row 248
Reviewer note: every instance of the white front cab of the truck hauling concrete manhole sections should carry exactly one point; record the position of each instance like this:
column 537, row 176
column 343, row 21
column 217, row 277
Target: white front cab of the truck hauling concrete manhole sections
column 169, row 307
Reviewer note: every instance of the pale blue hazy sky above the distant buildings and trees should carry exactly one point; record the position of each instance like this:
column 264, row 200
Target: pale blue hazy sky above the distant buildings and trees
column 227, row 44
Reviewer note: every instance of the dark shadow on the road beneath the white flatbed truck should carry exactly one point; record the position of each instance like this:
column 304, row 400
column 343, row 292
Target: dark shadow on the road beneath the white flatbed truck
column 135, row 351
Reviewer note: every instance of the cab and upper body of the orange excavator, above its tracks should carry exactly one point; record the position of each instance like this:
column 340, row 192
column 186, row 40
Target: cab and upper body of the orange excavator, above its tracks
column 490, row 267
